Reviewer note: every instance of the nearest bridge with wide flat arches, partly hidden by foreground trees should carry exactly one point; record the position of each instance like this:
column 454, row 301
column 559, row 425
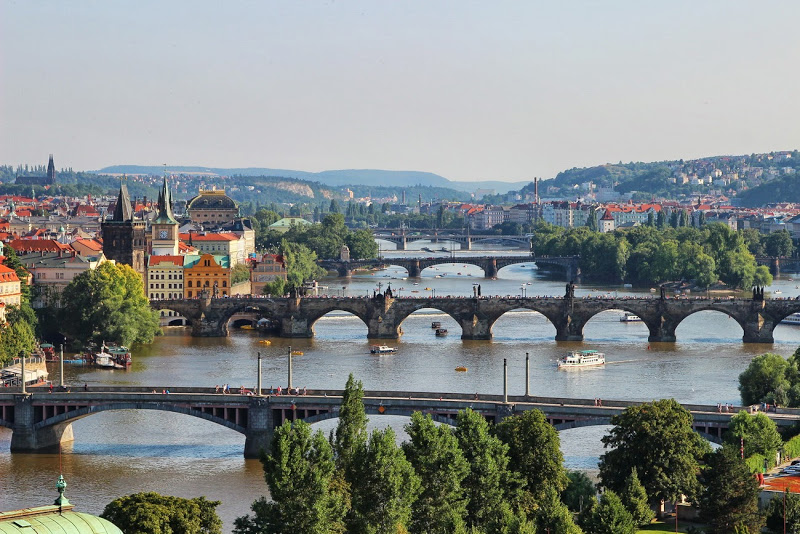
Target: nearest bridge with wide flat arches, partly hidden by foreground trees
column 41, row 421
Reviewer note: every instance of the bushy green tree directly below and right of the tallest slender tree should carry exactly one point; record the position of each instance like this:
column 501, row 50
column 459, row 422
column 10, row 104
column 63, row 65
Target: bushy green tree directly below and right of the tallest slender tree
column 387, row 486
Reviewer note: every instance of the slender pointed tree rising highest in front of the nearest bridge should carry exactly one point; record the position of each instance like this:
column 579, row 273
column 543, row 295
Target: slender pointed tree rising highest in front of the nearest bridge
column 351, row 433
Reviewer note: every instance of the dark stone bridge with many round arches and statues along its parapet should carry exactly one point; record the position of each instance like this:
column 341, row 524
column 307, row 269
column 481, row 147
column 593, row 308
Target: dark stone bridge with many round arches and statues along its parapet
column 295, row 317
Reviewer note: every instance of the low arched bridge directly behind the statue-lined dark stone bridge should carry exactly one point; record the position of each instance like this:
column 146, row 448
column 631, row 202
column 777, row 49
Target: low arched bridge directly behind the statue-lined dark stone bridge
column 489, row 264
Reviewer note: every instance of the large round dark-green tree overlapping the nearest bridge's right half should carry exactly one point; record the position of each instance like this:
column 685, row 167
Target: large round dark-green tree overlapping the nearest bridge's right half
column 657, row 439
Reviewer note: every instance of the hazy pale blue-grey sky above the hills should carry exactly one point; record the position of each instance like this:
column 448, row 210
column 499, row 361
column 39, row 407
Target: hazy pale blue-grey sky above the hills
column 469, row 90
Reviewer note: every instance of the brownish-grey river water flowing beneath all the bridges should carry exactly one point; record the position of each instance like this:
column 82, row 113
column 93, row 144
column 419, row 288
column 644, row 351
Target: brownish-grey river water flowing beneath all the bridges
column 118, row 453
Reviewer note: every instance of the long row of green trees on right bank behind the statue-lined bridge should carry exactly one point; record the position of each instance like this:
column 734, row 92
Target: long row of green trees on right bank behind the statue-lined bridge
column 647, row 255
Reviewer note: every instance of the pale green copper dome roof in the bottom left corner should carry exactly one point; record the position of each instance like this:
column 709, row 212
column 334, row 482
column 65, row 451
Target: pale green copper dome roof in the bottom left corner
column 48, row 520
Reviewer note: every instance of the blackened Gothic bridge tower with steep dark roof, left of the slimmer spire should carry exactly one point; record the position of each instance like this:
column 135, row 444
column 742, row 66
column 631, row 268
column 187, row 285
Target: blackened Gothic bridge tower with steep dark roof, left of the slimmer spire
column 124, row 236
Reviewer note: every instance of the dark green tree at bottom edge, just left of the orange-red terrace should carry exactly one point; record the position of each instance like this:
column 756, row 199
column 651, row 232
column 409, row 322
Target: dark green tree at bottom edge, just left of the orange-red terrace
column 729, row 499
